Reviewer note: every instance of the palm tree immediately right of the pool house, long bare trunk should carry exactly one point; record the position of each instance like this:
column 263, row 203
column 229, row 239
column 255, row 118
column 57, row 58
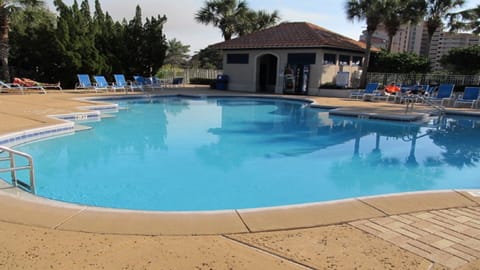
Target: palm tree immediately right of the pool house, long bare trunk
column 372, row 11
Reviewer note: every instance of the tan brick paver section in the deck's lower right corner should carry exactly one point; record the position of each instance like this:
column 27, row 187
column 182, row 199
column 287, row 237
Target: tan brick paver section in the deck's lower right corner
column 450, row 237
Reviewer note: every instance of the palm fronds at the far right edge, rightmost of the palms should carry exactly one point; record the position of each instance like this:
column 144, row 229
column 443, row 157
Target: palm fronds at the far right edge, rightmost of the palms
column 468, row 20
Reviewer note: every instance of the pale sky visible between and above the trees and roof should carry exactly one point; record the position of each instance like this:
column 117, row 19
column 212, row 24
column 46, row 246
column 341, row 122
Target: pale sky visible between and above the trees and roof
column 329, row 14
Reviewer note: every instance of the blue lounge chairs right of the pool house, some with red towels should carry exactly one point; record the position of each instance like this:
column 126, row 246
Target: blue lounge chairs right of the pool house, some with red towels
column 442, row 94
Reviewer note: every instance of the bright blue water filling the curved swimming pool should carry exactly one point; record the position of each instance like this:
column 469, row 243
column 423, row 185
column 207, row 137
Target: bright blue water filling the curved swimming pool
column 179, row 154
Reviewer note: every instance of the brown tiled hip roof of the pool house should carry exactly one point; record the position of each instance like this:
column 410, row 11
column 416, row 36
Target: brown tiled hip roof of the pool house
column 292, row 35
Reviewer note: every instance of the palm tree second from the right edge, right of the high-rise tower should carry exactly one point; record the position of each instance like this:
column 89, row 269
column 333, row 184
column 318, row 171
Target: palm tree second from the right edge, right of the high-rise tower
column 437, row 10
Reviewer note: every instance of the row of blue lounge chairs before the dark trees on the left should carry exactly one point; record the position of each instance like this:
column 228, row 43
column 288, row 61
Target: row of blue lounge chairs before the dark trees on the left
column 139, row 83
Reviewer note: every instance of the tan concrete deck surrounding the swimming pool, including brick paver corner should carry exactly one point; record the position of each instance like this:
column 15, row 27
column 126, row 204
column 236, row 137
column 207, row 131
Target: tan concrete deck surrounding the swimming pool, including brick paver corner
column 431, row 230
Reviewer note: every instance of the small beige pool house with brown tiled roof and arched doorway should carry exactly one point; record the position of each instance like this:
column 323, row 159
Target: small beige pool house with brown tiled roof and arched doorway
column 294, row 57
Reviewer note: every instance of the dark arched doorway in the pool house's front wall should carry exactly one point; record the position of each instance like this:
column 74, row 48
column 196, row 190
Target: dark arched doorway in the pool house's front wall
column 266, row 73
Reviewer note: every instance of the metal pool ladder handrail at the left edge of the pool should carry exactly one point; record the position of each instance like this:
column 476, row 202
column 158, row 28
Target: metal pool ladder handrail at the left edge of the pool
column 13, row 168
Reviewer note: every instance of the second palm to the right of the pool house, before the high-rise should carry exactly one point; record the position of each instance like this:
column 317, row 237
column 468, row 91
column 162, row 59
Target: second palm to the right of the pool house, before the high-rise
column 401, row 12
